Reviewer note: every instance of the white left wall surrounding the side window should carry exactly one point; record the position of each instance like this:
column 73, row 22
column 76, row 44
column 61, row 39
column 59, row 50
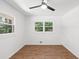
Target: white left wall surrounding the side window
column 10, row 43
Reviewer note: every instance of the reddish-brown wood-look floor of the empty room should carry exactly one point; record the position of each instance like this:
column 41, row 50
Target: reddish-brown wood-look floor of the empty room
column 43, row 52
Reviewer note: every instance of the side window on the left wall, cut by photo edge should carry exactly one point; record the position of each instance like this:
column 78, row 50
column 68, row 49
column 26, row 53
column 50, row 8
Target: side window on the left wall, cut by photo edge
column 6, row 25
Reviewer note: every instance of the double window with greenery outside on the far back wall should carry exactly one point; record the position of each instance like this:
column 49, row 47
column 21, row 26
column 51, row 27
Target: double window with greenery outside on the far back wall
column 43, row 26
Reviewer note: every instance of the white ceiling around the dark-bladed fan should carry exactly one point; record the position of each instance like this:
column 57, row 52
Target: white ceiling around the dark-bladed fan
column 61, row 6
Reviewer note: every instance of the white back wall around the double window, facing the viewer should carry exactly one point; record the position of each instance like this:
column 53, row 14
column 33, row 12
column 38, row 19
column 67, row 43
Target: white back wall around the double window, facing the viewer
column 33, row 37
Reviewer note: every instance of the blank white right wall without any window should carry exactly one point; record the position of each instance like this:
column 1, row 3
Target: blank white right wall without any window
column 71, row 31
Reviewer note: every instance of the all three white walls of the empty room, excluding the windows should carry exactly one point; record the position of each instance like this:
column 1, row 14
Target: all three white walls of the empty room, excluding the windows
column 65, row 31
